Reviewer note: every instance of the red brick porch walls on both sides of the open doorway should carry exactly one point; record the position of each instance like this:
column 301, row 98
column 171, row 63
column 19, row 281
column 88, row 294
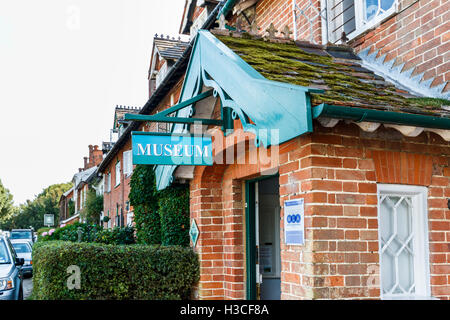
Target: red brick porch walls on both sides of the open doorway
column 336, row 170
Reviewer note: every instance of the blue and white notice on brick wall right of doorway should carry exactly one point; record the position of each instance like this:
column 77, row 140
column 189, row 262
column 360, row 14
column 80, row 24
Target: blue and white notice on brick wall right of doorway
column 294, row 227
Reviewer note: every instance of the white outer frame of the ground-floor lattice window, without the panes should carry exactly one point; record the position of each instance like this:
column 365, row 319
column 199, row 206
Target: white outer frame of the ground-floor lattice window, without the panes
column 420, row 240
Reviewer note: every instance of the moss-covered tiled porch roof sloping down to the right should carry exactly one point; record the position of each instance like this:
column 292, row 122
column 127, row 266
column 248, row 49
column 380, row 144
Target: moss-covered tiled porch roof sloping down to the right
column 336, row 70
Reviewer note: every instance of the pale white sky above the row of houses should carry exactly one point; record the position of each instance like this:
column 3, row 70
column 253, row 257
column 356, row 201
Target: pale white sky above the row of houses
column 64, row 66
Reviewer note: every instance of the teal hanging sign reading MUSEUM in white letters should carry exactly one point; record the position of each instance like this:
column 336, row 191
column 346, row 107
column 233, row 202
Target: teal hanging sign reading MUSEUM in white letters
column 171, row 149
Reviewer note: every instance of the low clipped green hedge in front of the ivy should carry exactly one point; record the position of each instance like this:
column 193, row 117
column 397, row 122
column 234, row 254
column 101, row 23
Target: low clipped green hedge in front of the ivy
column 113, row 272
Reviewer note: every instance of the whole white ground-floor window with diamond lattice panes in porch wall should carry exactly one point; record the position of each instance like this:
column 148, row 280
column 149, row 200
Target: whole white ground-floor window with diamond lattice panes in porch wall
column 403, row 237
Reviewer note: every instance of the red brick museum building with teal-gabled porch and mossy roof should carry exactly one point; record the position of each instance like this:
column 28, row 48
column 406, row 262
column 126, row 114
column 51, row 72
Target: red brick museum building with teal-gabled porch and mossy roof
column 360, row 139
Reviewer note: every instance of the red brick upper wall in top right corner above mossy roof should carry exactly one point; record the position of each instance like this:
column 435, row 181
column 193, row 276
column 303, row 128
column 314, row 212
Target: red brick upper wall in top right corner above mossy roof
column 419, row 35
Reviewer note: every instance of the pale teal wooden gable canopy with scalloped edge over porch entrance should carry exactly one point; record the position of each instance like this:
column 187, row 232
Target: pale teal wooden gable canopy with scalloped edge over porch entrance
column 270, row 105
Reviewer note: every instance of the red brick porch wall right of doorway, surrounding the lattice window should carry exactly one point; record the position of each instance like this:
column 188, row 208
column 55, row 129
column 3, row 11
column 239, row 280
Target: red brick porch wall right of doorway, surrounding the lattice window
column 337, row 170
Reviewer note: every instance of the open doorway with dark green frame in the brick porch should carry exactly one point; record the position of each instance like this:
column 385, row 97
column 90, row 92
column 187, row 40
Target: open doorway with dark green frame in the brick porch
column 263, row 239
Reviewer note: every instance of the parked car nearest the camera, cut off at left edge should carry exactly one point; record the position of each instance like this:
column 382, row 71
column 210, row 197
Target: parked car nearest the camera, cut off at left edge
column 11, row 275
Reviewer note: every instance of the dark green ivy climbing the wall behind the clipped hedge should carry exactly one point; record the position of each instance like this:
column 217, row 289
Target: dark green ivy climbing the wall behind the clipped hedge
column 161, row 217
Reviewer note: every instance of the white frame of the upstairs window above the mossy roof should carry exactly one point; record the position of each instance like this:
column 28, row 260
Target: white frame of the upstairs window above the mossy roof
column 361, row 25
